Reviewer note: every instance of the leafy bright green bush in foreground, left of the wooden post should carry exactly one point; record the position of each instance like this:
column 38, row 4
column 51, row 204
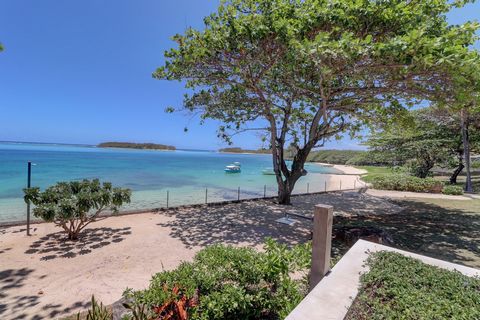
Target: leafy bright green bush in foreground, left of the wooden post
column 231, row 283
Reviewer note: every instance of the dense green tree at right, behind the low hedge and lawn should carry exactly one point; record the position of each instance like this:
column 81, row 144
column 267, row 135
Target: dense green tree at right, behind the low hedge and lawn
column 422, row 139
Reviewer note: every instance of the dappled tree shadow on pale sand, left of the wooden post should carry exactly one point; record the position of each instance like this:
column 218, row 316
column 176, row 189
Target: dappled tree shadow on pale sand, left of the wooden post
column 247, row 223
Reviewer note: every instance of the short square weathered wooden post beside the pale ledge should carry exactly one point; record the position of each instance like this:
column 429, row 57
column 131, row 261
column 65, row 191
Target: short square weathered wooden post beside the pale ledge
column 321, row 243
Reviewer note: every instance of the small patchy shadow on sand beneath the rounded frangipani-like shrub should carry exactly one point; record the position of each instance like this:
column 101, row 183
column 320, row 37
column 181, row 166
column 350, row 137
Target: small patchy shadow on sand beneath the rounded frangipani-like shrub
column 55, row 245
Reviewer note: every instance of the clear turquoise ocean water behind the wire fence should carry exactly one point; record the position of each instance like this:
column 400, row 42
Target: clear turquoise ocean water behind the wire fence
column 149, row 173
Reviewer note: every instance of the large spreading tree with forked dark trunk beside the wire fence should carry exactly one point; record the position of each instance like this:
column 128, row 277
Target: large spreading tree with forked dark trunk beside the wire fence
column 304, row 71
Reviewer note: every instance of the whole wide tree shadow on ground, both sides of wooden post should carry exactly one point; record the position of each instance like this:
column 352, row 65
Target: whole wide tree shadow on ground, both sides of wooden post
column 417, row 226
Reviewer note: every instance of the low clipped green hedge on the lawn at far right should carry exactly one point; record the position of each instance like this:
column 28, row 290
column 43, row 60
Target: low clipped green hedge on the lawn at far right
column 403, row 182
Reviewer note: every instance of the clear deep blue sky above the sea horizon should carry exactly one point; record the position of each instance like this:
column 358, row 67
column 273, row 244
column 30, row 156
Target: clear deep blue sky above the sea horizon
column 80, row 72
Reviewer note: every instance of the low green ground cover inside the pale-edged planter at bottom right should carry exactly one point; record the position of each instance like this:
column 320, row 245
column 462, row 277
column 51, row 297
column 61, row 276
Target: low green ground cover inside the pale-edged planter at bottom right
column 399, row 287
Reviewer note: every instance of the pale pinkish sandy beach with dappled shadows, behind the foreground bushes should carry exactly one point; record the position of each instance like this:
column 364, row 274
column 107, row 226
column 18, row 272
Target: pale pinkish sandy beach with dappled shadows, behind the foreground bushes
column 44, row 277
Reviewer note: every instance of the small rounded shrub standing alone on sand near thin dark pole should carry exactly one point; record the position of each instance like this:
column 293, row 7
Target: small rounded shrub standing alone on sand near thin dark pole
column 74, row 205
